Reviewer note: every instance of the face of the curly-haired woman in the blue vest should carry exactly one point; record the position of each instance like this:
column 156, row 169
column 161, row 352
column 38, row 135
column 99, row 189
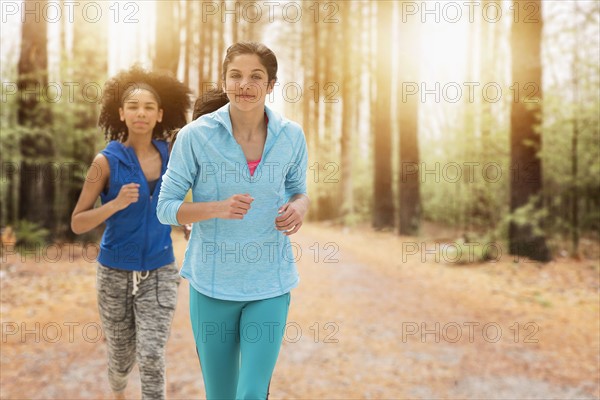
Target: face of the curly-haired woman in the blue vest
column 140, row 112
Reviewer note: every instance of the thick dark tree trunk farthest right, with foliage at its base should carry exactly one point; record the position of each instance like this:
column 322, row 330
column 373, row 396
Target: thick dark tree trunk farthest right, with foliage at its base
column 526, row 167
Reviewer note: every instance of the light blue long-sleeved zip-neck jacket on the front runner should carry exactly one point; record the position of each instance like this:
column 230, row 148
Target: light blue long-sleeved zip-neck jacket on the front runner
column 240, row 260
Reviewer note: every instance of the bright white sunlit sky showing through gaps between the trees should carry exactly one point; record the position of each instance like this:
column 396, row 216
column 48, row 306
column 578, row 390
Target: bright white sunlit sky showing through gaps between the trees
column 446, row 35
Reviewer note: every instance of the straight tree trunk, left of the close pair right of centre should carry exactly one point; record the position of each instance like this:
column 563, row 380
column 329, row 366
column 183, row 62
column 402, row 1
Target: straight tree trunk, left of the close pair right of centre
column 383, row 207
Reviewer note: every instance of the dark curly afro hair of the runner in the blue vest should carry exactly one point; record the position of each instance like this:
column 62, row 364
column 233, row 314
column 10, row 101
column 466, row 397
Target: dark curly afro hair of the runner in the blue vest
column 174, row 100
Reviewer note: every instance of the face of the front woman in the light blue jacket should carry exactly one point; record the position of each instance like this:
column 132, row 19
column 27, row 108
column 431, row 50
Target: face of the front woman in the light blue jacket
column 246, row 82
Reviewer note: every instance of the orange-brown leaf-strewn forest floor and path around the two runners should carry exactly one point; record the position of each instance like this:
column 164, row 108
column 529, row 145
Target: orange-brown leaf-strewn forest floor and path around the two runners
column 375, row 316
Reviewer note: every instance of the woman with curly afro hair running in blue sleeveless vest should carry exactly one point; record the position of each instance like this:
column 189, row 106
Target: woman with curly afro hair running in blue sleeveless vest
column 137, row 278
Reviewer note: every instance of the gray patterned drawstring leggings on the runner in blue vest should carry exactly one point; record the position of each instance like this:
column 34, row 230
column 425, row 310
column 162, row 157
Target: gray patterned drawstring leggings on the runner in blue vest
column 136, row 311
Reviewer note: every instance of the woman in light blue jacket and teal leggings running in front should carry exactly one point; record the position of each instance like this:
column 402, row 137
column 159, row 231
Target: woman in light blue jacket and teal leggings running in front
column 246, row 167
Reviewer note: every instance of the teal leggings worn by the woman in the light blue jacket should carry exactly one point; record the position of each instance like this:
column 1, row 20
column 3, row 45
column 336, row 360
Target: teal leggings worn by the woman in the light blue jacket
column 238, row 343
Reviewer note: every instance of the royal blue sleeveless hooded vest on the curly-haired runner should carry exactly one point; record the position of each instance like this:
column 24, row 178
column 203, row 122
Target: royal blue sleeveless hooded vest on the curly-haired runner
column 134, row 239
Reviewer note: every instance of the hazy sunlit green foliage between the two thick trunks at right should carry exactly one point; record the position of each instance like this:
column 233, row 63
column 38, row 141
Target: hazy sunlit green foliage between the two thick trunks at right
column 466, row 183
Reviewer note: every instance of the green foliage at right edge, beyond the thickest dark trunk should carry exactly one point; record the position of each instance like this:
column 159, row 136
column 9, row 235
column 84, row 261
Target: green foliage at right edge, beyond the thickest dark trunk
column 571, row 163
